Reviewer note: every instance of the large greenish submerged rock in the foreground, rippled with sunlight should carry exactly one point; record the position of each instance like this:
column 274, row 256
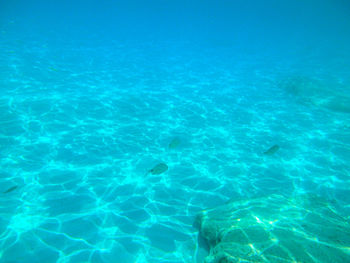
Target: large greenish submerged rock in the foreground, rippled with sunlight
column 274, row 229
